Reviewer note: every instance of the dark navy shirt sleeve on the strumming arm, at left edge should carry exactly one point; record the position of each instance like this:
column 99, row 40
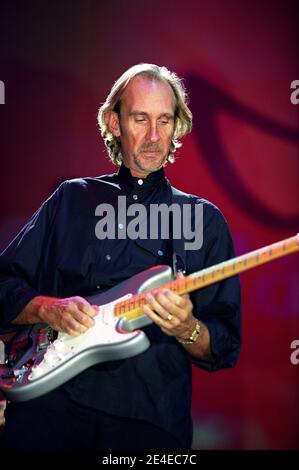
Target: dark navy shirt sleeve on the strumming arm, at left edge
column 20, row 261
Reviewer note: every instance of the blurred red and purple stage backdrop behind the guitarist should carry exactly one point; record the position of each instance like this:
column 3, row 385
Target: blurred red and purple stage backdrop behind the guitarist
column 58, row 61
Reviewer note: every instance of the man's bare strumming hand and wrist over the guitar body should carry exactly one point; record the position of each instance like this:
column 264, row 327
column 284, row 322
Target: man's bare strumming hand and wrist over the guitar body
column 72, row 315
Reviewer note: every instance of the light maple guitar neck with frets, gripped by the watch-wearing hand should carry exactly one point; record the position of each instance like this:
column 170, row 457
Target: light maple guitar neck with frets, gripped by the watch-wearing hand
column 133, row 308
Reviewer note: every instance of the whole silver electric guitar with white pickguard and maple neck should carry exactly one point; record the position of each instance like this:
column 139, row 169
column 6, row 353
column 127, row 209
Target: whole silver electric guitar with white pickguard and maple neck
column 37, row 363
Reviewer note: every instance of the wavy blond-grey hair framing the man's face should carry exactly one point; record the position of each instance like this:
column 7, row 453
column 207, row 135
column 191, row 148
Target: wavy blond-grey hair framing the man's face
column 183, row 115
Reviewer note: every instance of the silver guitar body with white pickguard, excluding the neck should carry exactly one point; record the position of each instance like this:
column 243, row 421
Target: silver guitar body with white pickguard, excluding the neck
column 109, row 339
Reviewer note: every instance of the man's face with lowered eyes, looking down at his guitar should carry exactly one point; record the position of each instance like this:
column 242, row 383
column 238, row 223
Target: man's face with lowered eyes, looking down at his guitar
column 146, row 125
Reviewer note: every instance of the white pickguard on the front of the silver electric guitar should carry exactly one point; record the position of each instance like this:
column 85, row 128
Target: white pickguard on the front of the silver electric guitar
column 104, row 332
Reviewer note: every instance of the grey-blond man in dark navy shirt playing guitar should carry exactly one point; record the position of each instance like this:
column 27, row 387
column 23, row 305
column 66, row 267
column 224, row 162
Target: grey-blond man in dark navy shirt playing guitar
column 142, row 402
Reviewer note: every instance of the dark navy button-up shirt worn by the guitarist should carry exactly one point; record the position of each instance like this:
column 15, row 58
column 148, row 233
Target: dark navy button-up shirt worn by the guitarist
column 58, row 254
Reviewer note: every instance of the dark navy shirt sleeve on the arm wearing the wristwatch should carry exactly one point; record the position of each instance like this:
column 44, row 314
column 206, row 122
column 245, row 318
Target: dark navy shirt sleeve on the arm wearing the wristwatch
column 218, row 305
